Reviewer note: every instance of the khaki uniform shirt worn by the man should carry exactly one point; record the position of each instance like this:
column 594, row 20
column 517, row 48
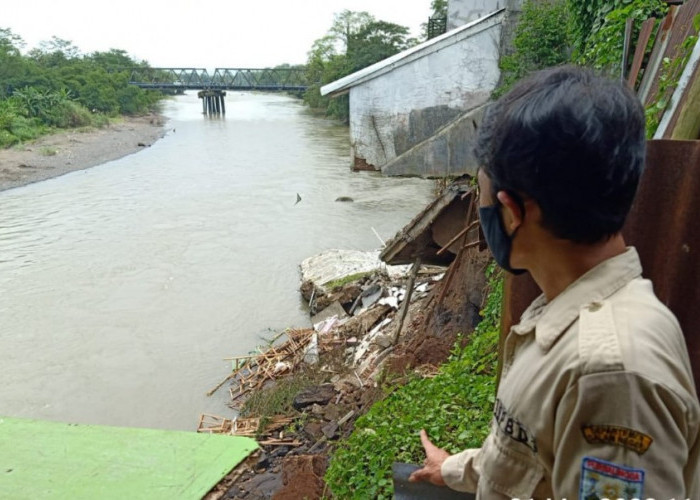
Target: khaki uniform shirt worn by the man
column 596, row 399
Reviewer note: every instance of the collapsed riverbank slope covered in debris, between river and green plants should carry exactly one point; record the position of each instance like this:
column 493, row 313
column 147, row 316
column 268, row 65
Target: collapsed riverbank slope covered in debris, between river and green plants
column 301, row 398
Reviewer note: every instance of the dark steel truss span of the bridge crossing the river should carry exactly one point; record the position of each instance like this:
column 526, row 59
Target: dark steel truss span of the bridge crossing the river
column 267, row 79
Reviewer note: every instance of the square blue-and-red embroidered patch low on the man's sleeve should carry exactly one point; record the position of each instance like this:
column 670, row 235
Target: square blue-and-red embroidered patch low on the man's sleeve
column 601, row 479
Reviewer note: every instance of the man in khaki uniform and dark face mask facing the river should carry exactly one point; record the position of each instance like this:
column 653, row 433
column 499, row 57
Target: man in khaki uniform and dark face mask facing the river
column 596, row 398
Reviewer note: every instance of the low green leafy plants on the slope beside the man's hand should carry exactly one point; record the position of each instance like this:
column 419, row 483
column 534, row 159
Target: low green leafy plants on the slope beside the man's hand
column 454, row 408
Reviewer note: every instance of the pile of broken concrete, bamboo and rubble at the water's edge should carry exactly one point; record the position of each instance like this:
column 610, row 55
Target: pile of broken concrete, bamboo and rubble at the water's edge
column 354, row 332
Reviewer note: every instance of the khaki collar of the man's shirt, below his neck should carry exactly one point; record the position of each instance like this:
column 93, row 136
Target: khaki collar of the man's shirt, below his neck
column 550, row 320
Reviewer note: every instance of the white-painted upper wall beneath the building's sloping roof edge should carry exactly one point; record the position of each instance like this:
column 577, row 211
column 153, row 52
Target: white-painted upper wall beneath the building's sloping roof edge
column 460, row 76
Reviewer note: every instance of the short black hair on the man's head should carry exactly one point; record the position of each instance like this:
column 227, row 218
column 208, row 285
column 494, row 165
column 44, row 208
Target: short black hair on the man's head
column 574, row 142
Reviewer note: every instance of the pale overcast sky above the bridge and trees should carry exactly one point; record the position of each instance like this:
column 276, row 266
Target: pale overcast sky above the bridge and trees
column 197, row 33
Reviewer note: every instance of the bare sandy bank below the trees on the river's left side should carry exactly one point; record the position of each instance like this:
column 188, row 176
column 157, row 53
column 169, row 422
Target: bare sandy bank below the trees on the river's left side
column 67, row 151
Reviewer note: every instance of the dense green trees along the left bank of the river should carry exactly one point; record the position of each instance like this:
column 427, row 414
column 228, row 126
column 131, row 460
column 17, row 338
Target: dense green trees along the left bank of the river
column 54, row 86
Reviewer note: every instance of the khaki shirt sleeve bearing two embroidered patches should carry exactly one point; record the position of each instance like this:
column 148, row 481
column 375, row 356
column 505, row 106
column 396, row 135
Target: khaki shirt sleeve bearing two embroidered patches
column 618, row 430
